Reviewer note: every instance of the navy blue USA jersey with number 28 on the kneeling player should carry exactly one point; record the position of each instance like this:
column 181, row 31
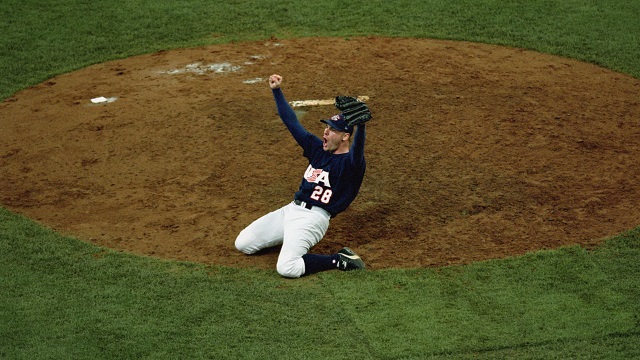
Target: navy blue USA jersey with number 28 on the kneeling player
column 331, row 181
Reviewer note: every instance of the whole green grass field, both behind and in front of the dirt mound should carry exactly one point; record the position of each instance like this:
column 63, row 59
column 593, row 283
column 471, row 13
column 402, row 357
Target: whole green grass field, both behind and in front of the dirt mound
column 61, row 298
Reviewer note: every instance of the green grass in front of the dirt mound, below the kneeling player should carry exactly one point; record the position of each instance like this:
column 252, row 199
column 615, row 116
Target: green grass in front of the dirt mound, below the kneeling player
column 65, row 298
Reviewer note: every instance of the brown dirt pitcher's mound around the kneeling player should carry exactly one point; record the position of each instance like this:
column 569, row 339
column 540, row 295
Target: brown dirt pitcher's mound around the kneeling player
column 474, row 152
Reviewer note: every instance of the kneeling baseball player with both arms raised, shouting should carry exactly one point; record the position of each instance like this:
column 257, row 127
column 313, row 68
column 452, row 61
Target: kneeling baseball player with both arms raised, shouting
column 329, row 184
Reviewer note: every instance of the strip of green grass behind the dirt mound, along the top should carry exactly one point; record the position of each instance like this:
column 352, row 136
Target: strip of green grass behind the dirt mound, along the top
column 42, row 39
